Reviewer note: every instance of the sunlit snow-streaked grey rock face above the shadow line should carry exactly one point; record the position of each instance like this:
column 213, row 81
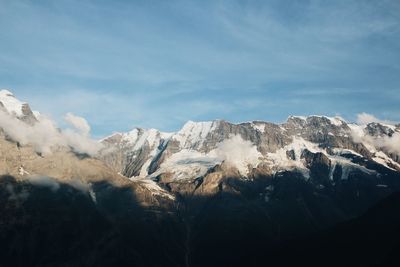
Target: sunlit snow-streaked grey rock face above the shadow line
column 315, row 146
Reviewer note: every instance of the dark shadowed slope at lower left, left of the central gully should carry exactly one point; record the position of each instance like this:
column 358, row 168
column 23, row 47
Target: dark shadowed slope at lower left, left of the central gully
column 44, row 226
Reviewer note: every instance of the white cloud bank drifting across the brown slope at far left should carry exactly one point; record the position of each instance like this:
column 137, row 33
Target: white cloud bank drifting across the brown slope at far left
column 44, row 134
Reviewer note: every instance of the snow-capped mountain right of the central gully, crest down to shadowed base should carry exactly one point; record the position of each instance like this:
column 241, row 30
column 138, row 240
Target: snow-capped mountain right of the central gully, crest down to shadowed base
column 244, row 188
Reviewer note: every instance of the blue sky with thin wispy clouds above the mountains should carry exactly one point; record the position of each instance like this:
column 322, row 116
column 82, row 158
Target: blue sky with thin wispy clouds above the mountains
column 156, row 64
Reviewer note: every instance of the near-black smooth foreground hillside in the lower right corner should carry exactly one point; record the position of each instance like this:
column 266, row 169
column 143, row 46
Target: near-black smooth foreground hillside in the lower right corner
column 372, row 239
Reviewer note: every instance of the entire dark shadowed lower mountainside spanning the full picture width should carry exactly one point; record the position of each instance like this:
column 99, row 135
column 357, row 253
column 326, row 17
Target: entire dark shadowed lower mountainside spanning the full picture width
column 50, row 225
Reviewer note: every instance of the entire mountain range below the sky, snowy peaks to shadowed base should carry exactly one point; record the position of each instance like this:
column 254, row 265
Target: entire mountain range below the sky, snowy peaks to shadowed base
column 212, row 193
